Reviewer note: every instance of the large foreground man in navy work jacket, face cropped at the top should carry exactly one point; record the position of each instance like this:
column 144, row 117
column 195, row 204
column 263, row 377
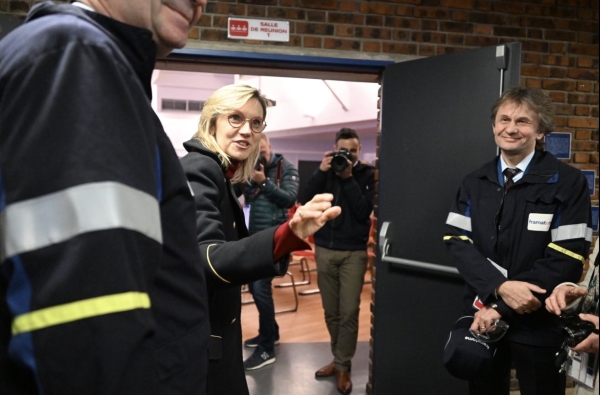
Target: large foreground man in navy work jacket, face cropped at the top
column 100, row 287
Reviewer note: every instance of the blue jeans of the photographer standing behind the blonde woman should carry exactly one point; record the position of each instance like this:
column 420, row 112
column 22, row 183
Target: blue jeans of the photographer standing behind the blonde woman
column 268, row 330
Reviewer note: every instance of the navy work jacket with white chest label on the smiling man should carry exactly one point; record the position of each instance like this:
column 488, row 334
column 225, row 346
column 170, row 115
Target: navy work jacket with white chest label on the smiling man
column 545, row 233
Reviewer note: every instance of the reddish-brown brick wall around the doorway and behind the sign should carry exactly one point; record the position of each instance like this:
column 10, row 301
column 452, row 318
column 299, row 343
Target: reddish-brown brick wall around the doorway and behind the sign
column 559, row 37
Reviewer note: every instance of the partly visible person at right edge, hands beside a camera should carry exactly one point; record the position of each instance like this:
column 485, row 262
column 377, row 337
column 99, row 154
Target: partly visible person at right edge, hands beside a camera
column 566, row 298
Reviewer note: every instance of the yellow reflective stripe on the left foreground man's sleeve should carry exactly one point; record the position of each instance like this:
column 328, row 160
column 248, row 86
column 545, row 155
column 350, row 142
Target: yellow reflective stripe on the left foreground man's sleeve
column 79, row 310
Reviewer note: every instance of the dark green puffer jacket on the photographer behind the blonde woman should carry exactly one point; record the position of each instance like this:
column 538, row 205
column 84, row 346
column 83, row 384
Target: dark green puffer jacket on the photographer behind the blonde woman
column 269, row 204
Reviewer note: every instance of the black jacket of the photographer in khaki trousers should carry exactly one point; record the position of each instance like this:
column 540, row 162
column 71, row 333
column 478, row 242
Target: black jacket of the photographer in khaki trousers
column 350, row 230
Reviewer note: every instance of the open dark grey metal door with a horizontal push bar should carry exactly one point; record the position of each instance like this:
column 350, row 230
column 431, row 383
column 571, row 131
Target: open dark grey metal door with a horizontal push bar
column 435, row 129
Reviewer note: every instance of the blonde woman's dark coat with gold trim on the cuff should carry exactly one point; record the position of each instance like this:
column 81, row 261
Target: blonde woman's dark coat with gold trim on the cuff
column 229, row 258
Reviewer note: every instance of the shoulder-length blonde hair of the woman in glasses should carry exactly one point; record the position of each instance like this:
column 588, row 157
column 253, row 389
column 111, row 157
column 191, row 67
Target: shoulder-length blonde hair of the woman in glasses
column 223, row 101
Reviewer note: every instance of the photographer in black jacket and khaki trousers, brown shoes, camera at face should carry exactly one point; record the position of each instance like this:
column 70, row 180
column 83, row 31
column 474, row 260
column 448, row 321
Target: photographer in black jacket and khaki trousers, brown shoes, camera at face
column 341, row 248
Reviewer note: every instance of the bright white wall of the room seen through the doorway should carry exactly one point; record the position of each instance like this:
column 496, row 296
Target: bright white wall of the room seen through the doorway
column 303, row 123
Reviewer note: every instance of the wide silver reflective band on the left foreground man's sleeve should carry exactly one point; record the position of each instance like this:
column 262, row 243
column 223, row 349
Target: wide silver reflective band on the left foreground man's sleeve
column 56, row 217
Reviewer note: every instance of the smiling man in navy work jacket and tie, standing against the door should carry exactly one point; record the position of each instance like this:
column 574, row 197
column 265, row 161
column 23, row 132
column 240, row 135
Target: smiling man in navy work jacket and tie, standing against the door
column 520, row 226
